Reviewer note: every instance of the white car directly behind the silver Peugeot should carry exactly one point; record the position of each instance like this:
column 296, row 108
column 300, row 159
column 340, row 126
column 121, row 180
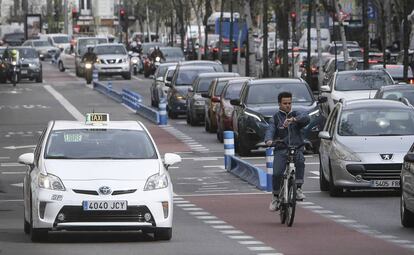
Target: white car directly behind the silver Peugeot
column 353, row 85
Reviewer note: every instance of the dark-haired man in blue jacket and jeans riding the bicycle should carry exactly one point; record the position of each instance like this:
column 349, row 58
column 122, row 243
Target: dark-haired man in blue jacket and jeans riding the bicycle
column 286, row 125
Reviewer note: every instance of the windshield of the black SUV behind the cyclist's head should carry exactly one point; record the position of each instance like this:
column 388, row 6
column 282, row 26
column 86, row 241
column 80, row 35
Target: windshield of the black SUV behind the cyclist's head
column 267, row 93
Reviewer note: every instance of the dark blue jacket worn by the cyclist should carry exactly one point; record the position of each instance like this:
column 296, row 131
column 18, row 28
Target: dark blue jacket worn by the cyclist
column 276, row 131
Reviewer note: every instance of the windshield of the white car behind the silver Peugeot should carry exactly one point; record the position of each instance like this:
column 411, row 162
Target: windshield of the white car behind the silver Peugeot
column 361, row 81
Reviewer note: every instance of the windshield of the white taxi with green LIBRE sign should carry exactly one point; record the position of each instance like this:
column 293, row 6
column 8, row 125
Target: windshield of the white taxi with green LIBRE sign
column 99, row 144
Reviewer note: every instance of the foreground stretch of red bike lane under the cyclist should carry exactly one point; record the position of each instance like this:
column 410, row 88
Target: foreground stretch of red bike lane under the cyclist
column 311, row 233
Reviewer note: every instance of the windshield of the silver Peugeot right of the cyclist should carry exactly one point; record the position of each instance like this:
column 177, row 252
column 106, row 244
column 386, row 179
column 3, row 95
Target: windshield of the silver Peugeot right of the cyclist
column 376, row 122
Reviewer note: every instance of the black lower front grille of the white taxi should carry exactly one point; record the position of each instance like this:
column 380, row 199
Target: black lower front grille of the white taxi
column 77, row 214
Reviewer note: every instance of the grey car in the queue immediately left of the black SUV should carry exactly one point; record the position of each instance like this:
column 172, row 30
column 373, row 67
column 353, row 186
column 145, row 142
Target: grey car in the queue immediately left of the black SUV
column 224, row 112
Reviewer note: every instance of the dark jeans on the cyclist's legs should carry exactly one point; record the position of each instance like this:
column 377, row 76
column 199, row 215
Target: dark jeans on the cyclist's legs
column 279, row 167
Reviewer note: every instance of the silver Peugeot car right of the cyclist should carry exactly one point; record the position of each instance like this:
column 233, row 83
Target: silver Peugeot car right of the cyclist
column 363, row 145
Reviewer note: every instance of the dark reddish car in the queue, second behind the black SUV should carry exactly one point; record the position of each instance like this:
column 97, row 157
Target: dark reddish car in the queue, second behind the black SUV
column 212, row 99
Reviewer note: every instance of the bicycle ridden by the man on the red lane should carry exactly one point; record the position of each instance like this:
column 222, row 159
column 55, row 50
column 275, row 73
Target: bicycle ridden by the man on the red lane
column 287, row 194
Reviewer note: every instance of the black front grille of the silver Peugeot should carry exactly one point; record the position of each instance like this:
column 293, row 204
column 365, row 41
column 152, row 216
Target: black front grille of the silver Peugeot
column 380, row 171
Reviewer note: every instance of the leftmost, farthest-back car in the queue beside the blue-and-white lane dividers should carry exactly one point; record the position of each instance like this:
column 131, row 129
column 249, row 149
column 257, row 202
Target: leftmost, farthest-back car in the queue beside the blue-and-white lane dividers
column 158, row 87
